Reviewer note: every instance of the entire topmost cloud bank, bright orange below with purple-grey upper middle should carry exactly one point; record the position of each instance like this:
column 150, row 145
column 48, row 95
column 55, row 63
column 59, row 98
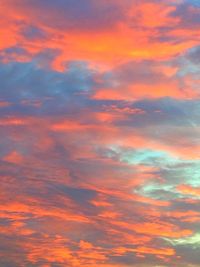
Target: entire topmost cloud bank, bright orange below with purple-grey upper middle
column 68, row 24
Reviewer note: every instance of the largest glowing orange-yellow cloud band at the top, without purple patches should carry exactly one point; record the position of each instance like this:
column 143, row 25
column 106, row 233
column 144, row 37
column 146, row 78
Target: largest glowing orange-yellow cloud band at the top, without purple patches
column 139, row 42
